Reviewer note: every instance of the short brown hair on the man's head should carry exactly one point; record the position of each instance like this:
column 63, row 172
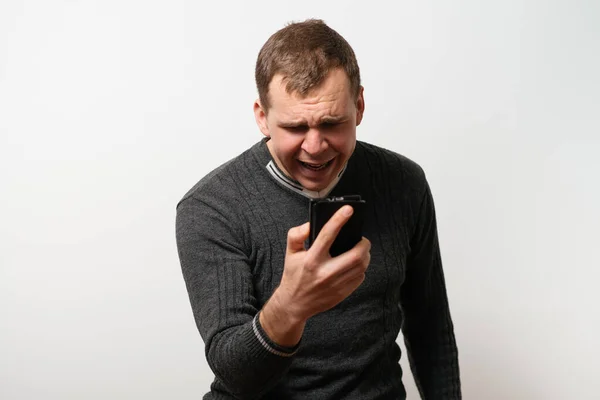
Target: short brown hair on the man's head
column 304, row 53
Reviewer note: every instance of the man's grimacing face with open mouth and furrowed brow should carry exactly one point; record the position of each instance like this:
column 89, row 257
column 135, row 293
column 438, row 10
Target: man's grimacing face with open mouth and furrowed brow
column 312, row 137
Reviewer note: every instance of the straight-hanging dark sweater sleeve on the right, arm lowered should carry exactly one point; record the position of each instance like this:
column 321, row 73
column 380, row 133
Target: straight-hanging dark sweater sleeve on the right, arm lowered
column 427, row 328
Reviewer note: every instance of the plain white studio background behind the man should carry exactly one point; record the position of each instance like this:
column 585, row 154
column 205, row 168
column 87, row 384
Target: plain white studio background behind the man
column 111, row 110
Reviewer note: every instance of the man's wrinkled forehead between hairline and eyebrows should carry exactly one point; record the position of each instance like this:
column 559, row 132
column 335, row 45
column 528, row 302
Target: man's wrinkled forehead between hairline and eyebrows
column 331, row 97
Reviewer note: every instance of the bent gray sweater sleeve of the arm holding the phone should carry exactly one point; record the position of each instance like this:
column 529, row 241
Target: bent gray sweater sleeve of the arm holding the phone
column 218, row 277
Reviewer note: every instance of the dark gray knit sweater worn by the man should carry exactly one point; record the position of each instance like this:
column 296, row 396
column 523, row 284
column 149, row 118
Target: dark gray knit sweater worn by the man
column 231, row 235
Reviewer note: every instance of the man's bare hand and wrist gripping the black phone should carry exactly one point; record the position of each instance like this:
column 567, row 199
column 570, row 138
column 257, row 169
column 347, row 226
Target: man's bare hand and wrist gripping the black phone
column 312, row 280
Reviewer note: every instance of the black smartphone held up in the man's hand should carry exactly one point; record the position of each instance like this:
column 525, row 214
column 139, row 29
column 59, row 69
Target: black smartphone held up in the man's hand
column 321, row 210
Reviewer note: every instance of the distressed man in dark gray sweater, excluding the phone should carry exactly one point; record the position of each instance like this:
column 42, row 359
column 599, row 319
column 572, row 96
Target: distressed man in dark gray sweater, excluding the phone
column 283, row 322
